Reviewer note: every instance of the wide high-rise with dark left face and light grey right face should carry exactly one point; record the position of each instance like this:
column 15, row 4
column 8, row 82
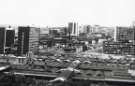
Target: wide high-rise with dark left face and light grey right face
column 28, row 39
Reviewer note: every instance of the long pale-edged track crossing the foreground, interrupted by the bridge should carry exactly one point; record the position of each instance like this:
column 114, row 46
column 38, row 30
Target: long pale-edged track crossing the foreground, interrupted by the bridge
column 54, row 75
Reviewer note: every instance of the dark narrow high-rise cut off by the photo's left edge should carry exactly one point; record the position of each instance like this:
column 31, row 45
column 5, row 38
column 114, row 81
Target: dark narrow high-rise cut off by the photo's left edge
column 2, row 39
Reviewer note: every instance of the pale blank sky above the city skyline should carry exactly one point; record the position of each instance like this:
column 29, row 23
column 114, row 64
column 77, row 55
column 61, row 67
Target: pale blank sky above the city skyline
column 60, row 12
